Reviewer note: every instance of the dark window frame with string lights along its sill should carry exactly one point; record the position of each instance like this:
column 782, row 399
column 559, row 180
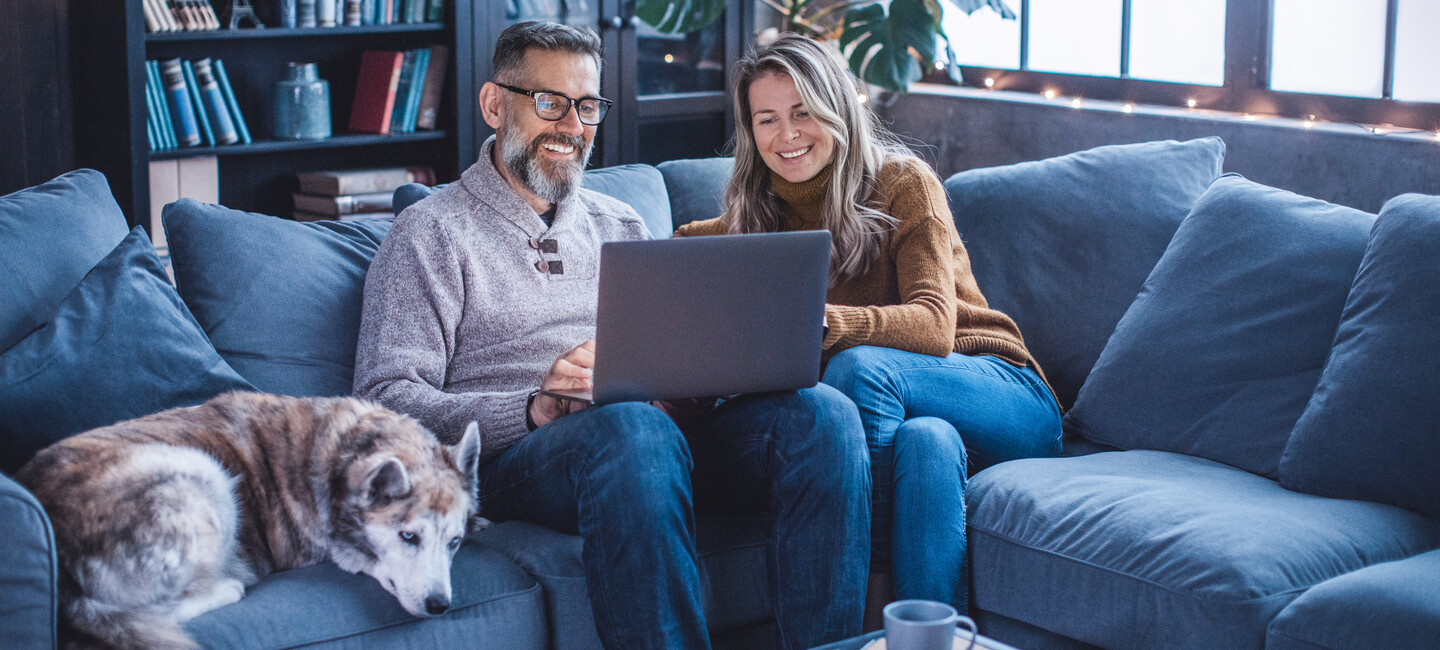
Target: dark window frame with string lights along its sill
column 1246, row 89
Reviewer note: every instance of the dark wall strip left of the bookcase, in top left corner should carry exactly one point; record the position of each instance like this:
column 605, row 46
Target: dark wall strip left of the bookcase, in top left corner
column 37, row 120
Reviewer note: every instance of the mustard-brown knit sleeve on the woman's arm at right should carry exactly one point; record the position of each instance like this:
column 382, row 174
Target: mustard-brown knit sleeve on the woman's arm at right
column 922, row 254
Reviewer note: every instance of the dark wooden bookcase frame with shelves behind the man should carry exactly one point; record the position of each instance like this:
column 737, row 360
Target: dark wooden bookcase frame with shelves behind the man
column 110, row 48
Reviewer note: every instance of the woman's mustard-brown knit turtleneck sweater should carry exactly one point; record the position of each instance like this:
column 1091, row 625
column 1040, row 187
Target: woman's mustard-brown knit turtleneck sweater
column 919, row 293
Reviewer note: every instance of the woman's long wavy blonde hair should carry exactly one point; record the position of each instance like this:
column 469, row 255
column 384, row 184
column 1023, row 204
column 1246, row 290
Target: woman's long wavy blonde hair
column 862, row 149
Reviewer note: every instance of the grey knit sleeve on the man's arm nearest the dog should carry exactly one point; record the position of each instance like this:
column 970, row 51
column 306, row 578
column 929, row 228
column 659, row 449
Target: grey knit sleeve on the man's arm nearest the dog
column 414, row 300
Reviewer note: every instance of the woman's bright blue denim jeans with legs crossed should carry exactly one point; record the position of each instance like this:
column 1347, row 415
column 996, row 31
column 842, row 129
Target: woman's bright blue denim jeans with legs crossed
column 931, row 423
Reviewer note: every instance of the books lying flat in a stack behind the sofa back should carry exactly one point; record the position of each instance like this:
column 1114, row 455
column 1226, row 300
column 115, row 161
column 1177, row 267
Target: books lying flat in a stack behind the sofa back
column 354, row 194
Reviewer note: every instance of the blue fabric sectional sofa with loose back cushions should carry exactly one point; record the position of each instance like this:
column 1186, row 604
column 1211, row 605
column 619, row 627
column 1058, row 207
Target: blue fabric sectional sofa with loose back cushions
column 1252, row 381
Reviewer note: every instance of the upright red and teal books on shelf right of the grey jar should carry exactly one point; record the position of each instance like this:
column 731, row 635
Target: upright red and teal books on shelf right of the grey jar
column 400, row 92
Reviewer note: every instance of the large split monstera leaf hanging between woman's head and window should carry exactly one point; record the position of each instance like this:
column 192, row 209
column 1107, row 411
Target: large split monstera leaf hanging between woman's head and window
column 878, row 44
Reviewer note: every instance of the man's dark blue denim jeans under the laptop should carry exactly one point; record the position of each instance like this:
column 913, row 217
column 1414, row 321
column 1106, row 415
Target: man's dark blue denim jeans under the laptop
column 627, row 481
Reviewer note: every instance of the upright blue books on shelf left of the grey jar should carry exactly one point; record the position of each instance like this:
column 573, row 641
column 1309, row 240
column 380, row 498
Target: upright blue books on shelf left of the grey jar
column 191, row 104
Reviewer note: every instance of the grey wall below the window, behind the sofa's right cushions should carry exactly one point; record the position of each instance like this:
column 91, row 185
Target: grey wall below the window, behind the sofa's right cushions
column 958, row 129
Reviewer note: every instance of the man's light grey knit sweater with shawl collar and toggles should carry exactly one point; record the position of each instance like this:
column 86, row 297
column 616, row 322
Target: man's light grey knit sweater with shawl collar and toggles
column 466, row 309
